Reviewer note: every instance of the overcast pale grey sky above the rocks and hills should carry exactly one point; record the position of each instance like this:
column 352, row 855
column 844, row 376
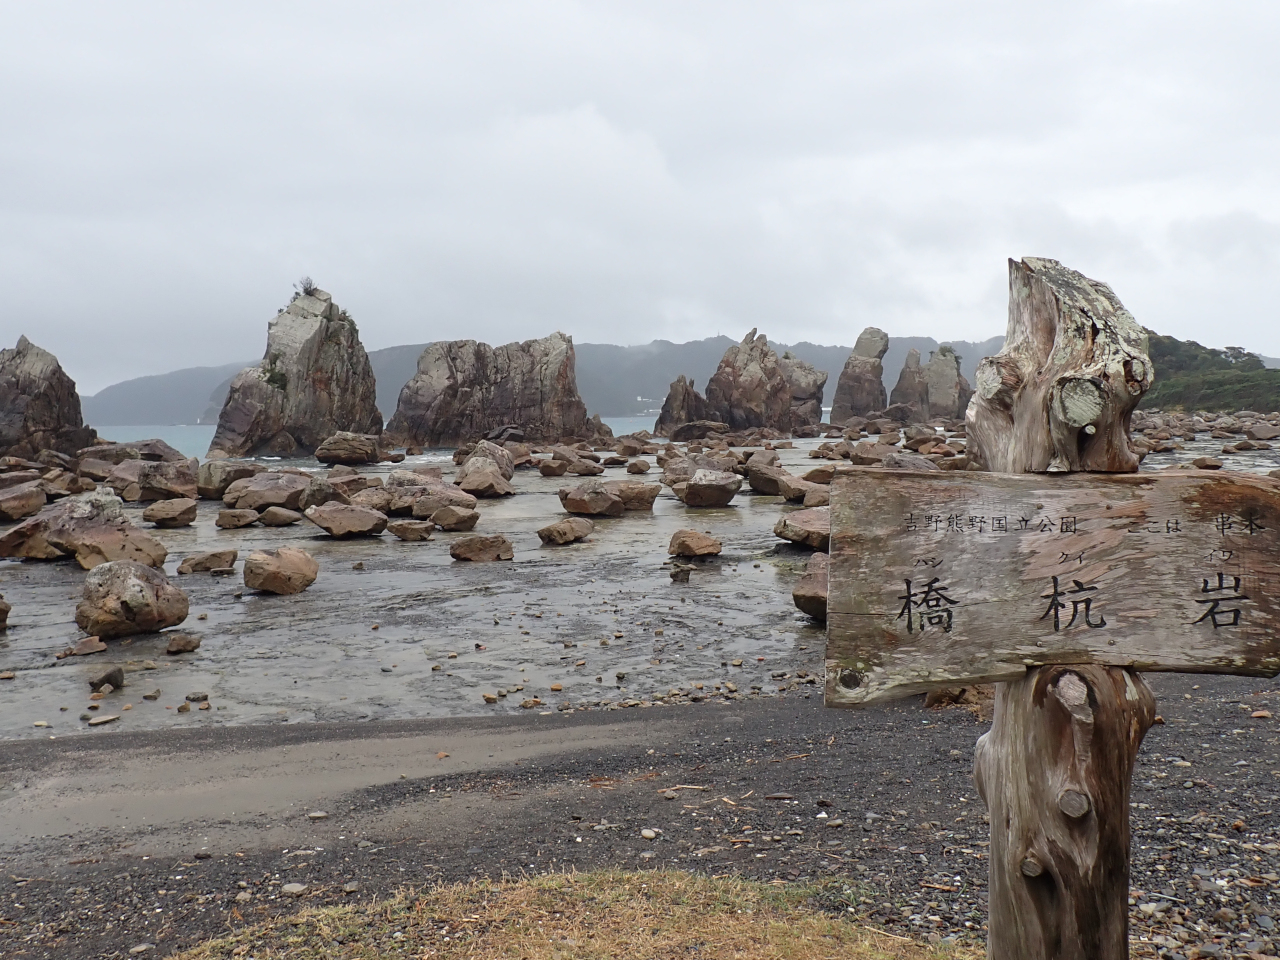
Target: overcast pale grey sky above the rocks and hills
column 627, row 172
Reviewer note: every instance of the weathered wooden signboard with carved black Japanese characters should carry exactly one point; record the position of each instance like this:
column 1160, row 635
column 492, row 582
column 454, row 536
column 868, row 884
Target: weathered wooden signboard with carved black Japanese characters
column 944, row 579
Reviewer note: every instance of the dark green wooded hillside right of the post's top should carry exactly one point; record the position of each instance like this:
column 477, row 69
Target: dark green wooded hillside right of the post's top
column 1191, row 377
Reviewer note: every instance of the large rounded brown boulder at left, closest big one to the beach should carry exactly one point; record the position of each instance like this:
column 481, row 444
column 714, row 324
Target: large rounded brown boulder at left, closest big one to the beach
column 124, row 598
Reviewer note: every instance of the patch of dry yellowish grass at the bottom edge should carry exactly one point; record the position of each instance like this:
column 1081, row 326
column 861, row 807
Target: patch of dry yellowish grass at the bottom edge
column 596, row 916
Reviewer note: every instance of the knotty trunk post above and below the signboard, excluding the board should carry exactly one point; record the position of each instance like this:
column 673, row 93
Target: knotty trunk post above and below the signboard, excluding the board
column 1055, row 767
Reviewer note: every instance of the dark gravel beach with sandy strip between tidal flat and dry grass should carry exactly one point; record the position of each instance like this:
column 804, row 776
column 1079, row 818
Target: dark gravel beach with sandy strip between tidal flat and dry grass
column 879, row 804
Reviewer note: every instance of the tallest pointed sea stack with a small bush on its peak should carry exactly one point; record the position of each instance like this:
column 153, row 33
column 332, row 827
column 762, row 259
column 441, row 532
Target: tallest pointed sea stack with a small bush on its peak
column 314, row 381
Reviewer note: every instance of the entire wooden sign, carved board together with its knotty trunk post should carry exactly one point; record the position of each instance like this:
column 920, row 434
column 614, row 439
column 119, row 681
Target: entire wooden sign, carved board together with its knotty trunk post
column 1059, row 575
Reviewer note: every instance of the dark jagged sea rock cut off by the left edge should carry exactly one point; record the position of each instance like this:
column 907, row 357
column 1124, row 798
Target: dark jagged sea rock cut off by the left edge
column 39, row 406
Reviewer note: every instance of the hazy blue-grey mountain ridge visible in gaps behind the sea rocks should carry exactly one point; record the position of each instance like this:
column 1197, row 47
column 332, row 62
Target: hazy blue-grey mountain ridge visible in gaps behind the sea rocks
column 612, row 381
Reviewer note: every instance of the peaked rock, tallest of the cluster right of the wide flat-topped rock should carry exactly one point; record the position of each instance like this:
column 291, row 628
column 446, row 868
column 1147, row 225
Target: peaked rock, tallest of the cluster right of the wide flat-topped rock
column 748, row 388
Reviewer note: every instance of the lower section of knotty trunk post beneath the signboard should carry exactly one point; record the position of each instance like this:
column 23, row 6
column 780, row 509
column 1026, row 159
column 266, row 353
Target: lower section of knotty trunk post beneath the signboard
column 1054, row 772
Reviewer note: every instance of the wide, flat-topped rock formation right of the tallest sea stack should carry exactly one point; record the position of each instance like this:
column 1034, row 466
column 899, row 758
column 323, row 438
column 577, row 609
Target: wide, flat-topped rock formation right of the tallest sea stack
column 465, row 390
